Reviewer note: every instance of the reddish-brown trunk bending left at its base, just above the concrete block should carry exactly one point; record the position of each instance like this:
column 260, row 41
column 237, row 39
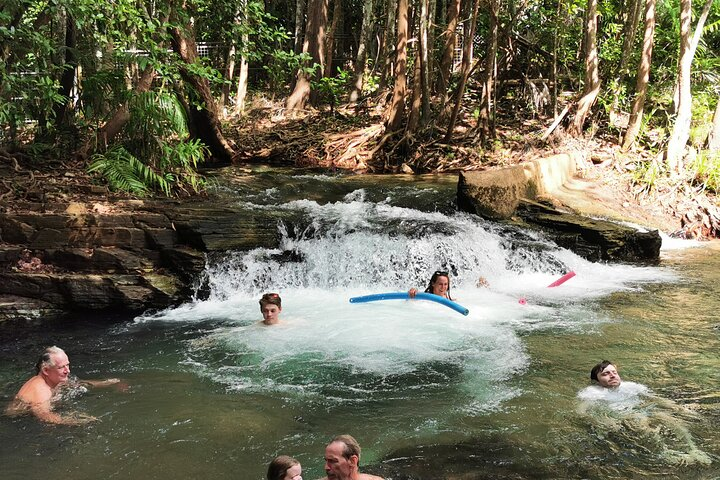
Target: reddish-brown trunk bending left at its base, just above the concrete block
column 592, row 75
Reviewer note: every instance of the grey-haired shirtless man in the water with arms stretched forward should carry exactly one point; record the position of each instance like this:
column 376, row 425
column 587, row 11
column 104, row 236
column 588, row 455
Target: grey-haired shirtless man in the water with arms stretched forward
column 39, row 394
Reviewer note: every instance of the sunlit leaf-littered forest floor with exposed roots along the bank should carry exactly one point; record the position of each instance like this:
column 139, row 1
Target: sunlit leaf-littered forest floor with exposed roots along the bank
column 353, row 139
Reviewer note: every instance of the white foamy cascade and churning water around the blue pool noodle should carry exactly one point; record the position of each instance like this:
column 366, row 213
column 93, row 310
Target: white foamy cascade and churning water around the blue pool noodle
column 327, row 348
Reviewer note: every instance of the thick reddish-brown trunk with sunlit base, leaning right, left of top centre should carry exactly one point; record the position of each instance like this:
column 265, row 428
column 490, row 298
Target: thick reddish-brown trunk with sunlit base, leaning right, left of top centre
column 314, row 43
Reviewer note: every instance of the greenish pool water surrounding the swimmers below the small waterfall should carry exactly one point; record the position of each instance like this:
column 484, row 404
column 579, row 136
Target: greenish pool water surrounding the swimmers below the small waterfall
column 213, row 396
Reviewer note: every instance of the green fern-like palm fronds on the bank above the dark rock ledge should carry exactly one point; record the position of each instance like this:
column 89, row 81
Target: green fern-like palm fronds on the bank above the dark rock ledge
column 155, row 153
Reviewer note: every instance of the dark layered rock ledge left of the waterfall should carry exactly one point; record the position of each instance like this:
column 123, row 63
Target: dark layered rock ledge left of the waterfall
column 148, row 256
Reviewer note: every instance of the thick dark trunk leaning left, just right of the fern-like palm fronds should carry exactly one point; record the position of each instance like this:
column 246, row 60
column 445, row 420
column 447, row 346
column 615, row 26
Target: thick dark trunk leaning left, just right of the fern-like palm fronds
column 205, row 119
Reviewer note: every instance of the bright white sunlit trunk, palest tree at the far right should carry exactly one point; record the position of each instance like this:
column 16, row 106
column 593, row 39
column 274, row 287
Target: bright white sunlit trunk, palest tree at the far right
column 681, row 129
